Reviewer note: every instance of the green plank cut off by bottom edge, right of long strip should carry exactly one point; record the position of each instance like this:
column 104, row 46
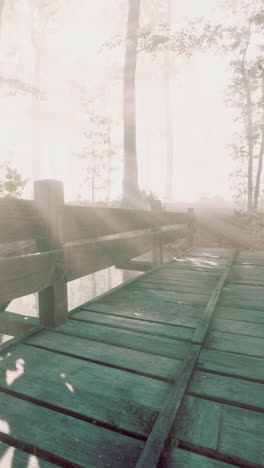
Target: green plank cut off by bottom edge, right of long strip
column 178, row 458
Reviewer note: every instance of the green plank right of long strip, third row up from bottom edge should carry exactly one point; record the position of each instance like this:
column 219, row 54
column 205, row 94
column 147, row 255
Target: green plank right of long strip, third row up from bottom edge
column 233, row 390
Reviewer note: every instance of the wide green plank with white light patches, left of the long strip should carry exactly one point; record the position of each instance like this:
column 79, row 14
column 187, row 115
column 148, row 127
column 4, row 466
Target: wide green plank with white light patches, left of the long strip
column 116, row 398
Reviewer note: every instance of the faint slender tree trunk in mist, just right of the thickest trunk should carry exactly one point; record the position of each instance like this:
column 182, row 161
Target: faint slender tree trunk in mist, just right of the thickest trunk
column 168, row 119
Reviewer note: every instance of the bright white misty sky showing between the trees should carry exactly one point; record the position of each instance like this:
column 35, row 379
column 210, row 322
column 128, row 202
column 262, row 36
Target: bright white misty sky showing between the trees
column 202, row 123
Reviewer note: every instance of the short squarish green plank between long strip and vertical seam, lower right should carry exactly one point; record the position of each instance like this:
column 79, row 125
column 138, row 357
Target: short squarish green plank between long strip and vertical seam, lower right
column 198, row 422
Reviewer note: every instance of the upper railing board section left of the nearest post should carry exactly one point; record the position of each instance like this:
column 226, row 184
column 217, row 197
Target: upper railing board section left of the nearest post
column 19, row 220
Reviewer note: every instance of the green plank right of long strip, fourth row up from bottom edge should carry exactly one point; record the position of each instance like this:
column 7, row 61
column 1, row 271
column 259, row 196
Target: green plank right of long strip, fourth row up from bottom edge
column 232, row 364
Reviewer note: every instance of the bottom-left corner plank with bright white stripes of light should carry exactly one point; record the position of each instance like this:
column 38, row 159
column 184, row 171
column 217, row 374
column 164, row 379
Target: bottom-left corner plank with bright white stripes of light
column 12, row 457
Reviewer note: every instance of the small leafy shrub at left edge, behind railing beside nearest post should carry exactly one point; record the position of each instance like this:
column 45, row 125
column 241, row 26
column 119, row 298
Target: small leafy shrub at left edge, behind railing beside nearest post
column 11, row 184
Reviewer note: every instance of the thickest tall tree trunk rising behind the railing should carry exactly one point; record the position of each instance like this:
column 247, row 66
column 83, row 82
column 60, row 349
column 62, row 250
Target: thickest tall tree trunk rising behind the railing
column 130, row 180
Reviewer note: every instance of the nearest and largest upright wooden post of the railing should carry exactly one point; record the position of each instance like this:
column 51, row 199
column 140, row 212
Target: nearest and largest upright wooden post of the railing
column 49, row 199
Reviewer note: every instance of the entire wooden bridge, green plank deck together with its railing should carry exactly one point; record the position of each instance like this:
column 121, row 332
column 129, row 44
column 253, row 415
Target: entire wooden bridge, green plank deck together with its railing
column 166, row 370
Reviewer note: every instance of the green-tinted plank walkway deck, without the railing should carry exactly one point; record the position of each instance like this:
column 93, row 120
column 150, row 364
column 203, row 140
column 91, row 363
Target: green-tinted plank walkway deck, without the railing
column 167, row 370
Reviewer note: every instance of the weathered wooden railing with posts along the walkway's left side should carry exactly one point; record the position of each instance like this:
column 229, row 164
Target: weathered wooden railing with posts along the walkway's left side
column 73, row 241
